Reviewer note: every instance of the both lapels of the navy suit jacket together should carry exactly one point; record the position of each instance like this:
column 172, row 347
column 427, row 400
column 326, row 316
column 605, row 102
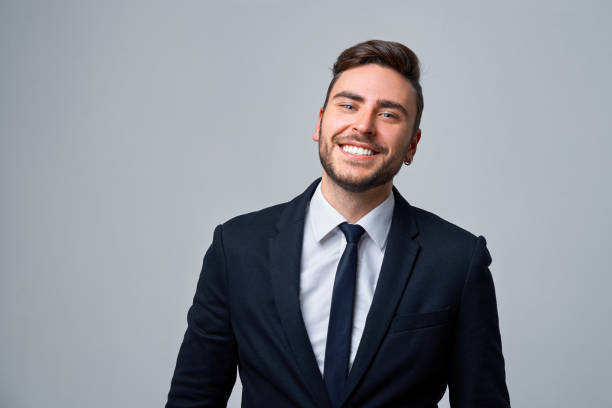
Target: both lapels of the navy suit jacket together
column 285, row 255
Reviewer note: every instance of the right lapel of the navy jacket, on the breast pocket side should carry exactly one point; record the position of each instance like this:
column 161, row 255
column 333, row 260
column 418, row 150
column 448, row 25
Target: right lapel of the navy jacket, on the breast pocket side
column 400, row 255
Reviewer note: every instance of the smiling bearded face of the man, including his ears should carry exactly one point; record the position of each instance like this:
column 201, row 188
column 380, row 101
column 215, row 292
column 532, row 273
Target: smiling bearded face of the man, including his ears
column 366, row 130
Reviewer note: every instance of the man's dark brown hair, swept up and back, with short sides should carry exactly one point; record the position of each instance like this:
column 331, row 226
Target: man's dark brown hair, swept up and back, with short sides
column 387, row 54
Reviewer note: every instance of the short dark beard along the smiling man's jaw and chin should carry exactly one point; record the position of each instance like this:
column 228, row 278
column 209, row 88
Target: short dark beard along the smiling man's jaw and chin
column 380, row 176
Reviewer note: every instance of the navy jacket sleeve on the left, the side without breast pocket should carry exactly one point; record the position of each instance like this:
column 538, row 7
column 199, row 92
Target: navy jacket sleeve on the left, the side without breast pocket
column 206, row 365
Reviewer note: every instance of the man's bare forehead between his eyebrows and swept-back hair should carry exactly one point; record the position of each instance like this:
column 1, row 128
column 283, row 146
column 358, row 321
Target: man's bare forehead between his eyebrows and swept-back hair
column 375, row 82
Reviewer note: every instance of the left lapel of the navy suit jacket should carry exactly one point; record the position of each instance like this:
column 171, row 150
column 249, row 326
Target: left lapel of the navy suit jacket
column 285, row 255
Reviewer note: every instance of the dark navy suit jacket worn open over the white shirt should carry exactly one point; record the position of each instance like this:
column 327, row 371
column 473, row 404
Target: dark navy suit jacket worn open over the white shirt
column 433, row 320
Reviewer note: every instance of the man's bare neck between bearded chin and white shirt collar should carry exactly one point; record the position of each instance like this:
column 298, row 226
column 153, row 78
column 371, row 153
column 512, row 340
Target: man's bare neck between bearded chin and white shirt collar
column 353, row 205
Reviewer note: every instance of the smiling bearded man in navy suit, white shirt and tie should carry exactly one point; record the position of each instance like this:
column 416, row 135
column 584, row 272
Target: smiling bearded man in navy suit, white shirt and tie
column 347, row 295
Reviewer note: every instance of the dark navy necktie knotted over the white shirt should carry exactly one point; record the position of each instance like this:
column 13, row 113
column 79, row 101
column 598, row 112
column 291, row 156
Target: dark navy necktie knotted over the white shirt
column 338, row 346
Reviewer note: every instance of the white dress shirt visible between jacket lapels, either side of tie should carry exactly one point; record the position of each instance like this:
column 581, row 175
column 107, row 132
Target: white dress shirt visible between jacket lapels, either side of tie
column 322, row 248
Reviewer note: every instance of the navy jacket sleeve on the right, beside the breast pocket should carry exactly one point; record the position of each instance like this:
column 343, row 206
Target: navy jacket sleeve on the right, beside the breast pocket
column 477, row 377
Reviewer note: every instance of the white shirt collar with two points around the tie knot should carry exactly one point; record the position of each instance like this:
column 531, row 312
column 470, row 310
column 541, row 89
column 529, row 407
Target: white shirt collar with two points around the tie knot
column 325, row 218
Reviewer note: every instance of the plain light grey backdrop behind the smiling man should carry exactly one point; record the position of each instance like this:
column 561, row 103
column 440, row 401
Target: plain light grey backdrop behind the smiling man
column 130, row 129
